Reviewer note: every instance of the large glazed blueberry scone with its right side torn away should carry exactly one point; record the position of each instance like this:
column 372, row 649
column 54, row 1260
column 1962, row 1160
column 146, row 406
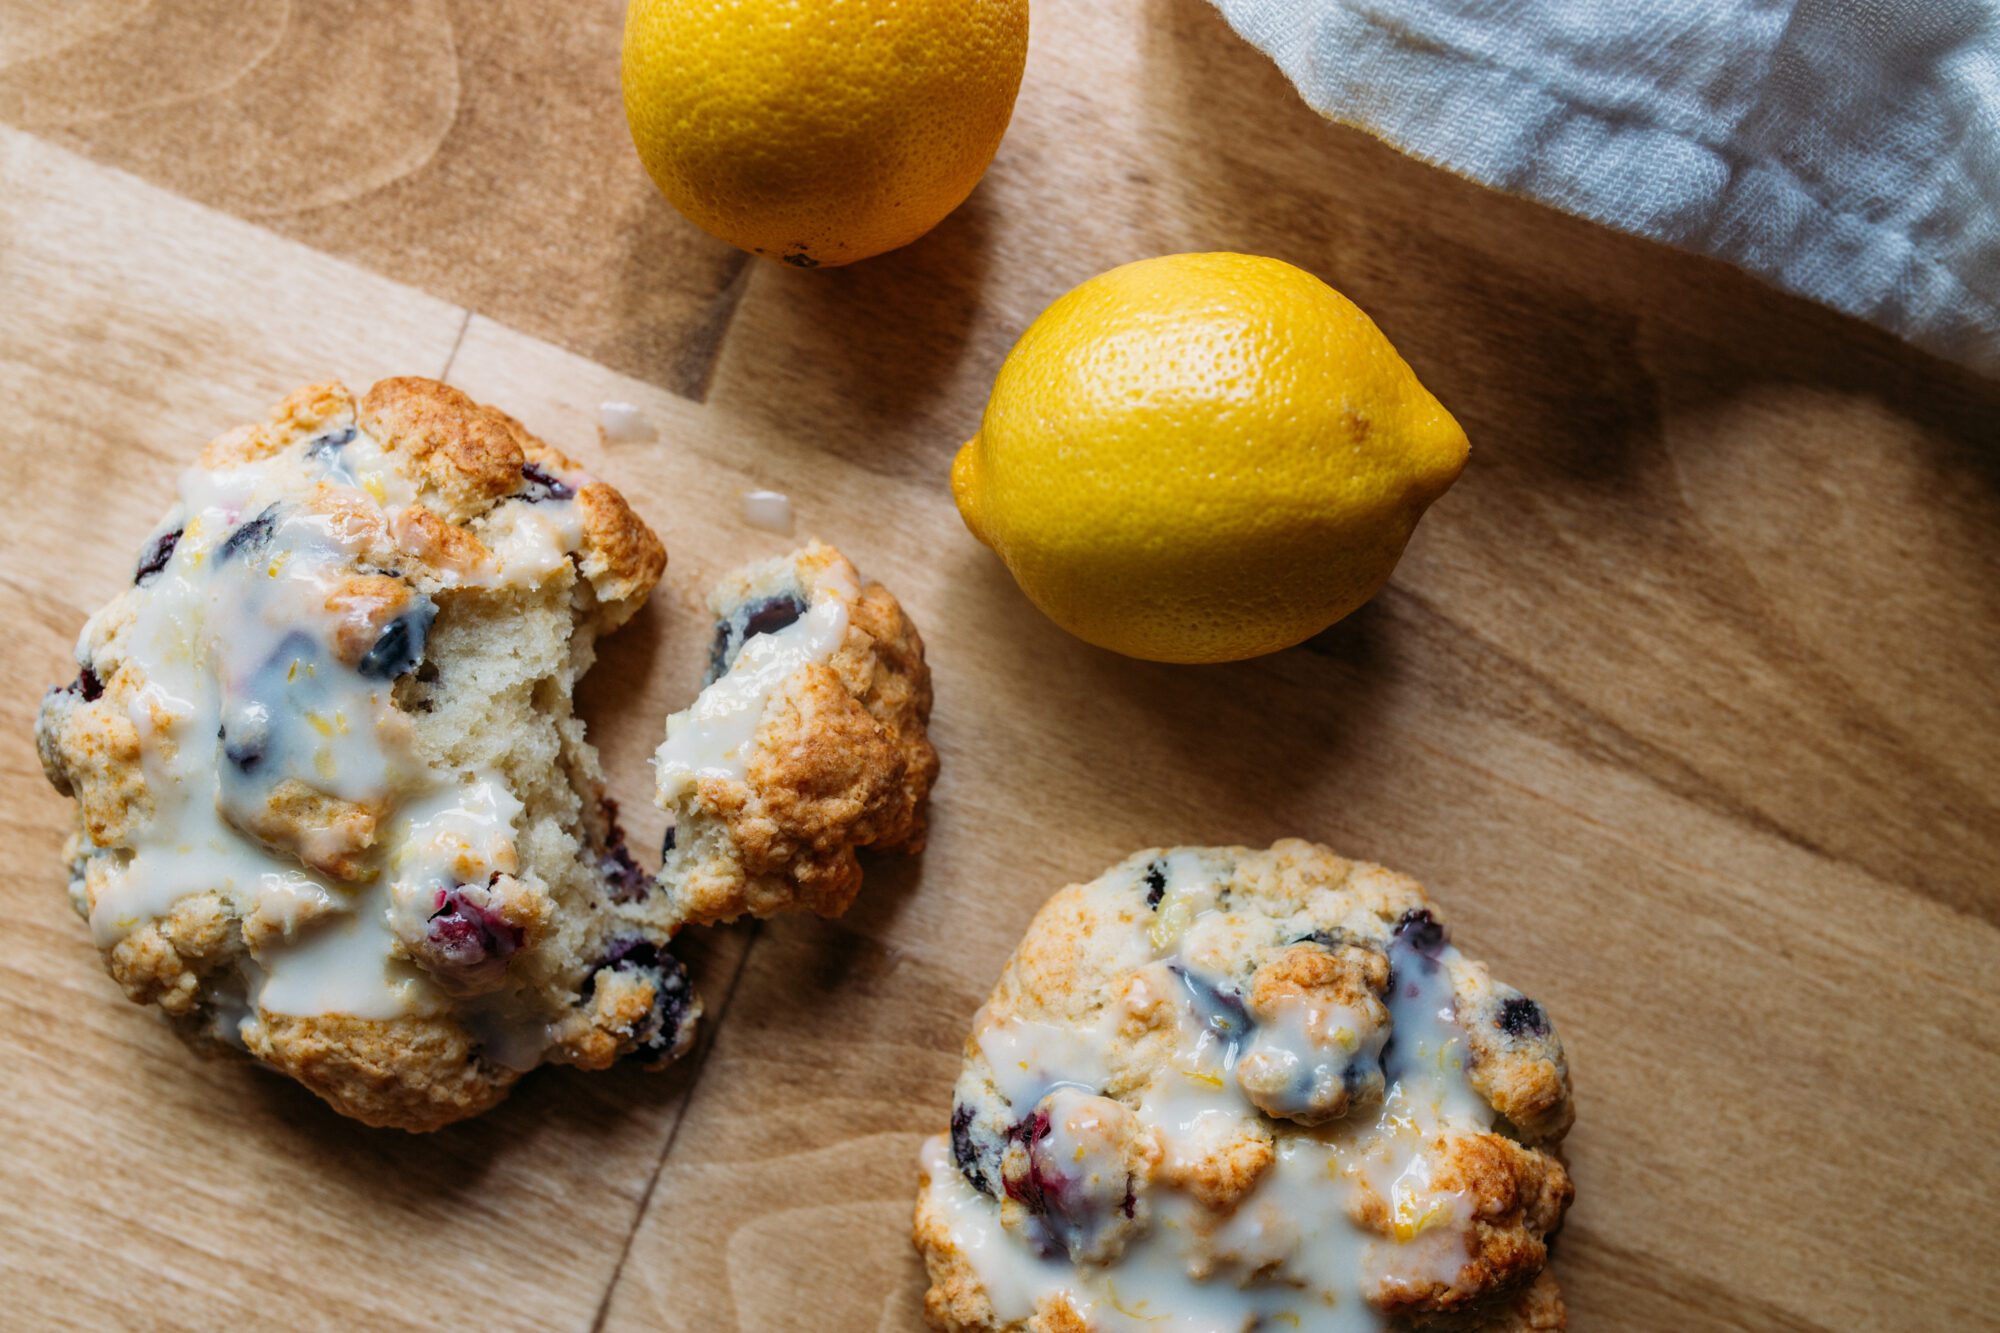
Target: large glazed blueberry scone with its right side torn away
column 333, row 806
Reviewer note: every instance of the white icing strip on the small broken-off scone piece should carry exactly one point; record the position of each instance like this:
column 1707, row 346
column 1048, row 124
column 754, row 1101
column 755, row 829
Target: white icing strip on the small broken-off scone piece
column 717, row 734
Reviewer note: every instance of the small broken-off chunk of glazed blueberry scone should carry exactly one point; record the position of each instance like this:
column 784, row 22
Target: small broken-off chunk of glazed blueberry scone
column 807, row 744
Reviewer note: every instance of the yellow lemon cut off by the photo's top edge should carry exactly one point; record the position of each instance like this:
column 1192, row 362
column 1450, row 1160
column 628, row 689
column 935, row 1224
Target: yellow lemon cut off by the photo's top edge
column 821, row 131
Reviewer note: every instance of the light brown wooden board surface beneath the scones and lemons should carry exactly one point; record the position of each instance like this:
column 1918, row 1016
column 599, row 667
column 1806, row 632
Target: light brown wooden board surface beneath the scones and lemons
column 1685, row 702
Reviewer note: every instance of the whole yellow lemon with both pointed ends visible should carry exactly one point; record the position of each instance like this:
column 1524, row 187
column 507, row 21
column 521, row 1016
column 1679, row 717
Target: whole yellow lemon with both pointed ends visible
column 1203, row 457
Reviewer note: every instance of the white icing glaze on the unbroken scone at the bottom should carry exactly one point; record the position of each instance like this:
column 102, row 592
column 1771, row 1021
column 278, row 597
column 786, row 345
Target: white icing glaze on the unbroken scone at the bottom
column 1291, row 1254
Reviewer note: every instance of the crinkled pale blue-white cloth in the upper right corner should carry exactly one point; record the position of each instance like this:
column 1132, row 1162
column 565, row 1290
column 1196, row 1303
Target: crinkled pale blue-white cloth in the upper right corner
column 1843, row 149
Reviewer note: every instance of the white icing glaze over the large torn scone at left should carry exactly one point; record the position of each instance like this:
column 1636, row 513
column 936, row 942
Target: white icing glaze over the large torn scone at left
column 245, row 702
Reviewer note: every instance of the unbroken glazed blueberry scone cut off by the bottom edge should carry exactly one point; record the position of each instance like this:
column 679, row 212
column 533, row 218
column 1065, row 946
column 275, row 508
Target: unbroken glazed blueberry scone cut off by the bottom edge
column 1227, row 1090
